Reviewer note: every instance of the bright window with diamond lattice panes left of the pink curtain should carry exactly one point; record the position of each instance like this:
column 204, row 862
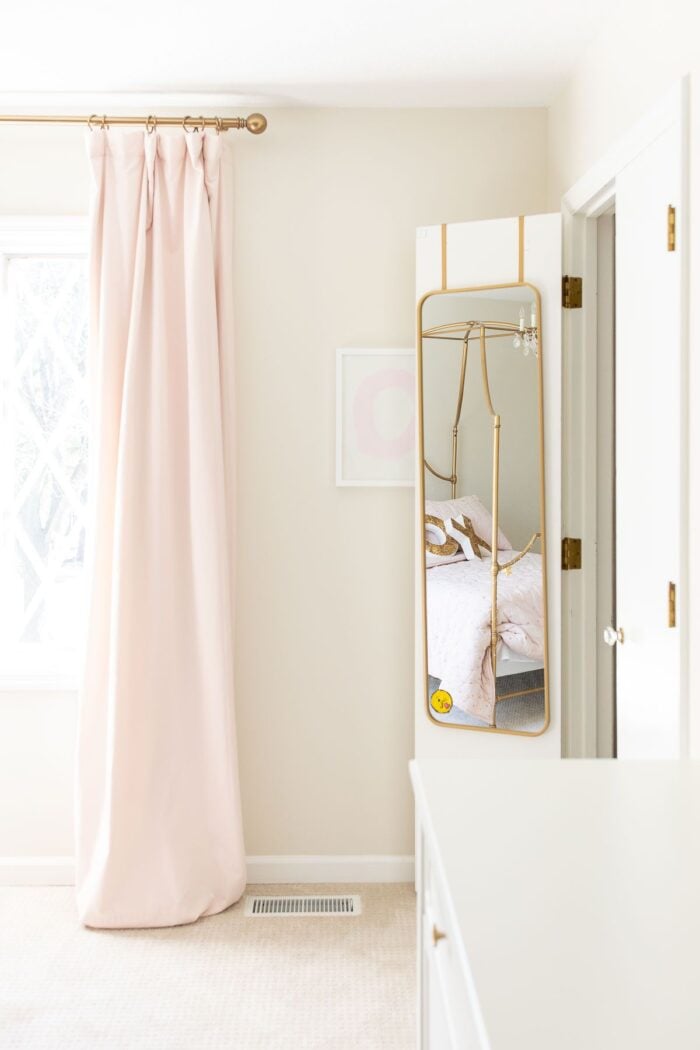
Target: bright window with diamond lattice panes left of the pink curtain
column 44, row 450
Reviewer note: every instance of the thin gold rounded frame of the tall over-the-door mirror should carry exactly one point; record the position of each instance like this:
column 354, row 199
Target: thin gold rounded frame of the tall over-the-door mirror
column 495, row 499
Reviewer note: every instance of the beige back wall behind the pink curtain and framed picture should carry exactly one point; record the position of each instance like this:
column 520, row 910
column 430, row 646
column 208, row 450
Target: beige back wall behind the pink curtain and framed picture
column 328, row 203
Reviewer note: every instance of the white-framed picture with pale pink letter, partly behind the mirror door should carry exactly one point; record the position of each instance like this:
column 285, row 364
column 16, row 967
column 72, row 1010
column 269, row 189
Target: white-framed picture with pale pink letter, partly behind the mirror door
column 376, row 417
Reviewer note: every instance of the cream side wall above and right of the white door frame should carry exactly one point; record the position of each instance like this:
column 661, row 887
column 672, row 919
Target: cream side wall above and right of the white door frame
column 631, row 65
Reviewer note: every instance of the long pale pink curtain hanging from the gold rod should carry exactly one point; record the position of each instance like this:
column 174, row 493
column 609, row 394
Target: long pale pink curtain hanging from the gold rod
column 160, row 838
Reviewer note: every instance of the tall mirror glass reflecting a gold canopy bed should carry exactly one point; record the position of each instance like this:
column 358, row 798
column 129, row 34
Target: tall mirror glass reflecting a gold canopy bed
column 485, row 608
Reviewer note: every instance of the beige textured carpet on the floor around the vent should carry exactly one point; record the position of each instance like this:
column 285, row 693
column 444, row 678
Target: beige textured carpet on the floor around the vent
column 226, row 982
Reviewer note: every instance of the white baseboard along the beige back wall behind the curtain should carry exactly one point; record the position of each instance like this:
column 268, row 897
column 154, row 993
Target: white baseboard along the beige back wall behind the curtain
column 279, row 870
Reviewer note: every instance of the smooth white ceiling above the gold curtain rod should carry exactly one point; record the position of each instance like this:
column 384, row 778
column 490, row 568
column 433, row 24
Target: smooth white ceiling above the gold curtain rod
column 347, row 53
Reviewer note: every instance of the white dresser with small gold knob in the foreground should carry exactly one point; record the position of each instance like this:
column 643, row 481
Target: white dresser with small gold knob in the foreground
column 559, row 905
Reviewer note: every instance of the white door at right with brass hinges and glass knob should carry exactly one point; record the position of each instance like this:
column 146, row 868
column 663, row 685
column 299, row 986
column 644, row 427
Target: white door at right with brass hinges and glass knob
column 649, row 452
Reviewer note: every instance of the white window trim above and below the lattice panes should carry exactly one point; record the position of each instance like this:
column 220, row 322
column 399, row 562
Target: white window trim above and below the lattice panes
column 41, row 236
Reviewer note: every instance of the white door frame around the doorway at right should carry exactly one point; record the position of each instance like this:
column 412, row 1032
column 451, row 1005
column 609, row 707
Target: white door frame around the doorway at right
column 582, row 206
